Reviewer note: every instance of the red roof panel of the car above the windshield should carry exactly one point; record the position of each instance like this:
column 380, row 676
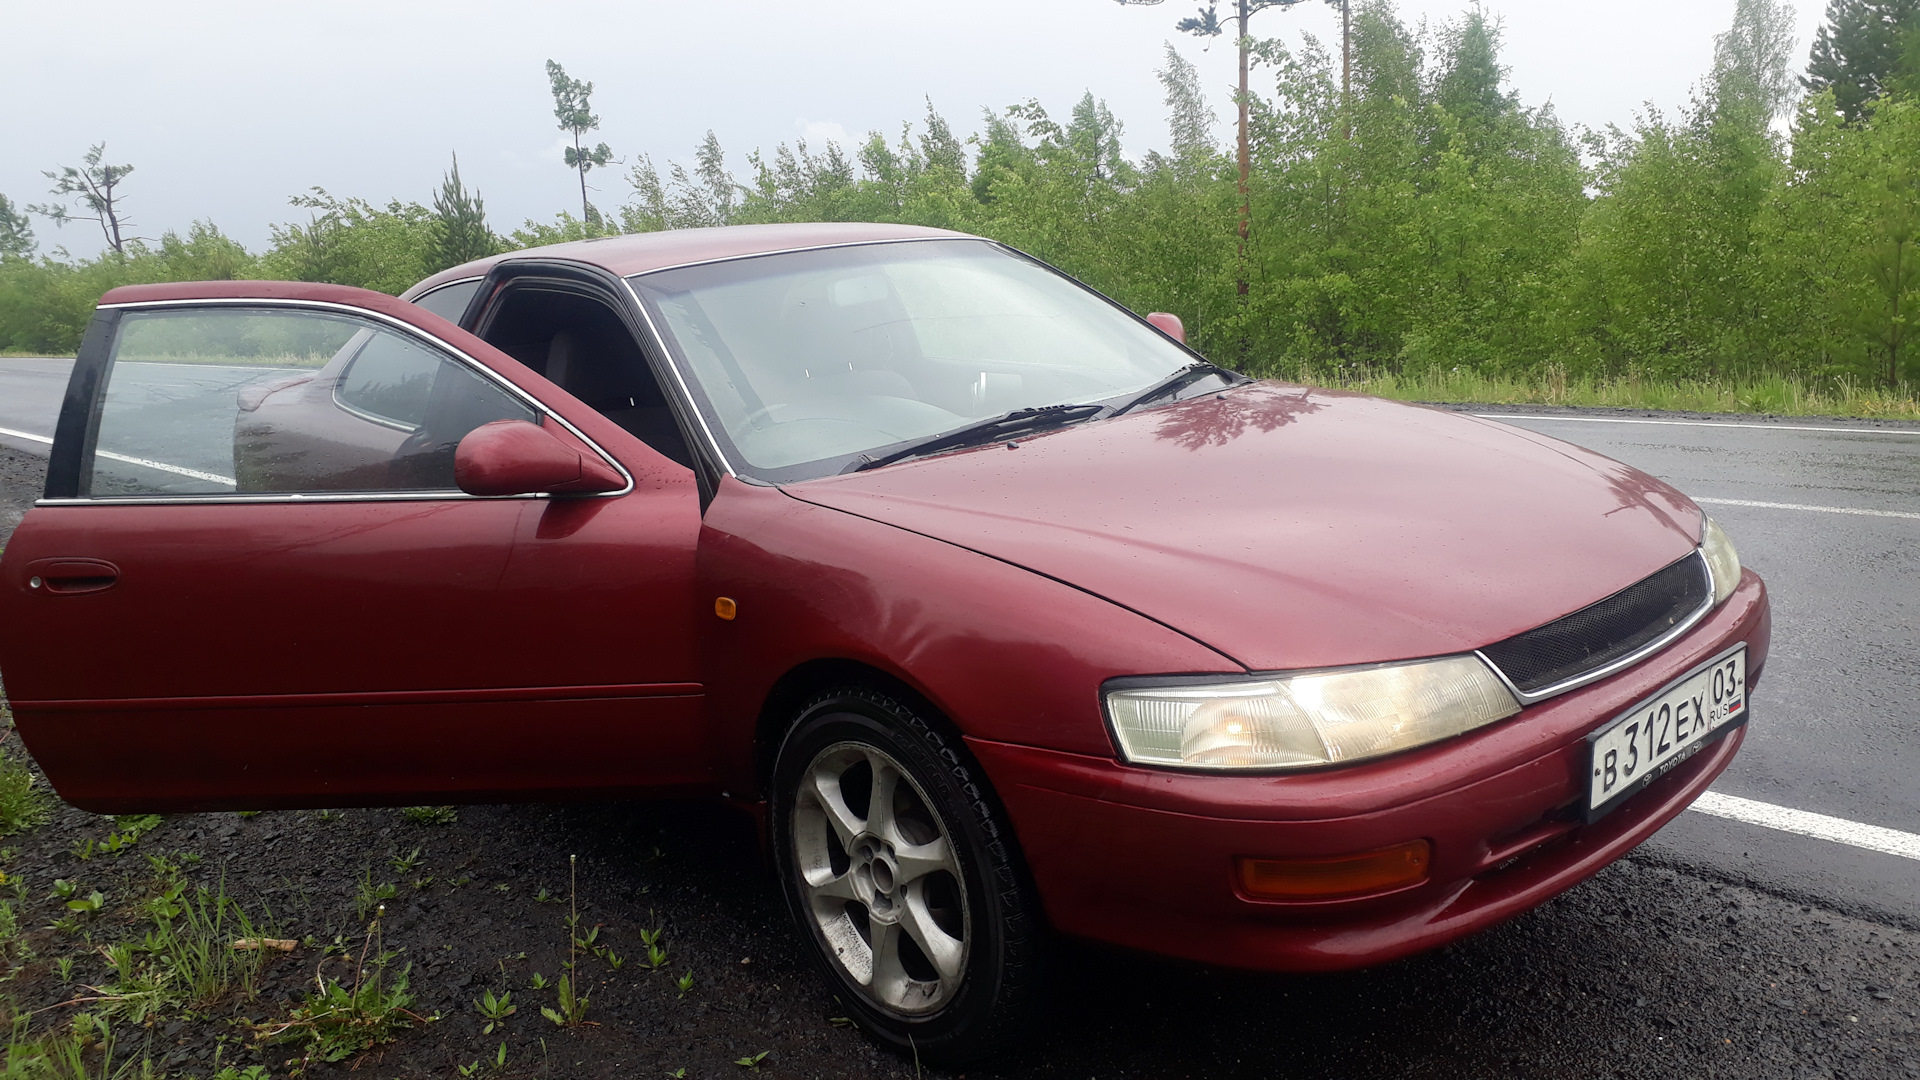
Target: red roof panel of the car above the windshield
column 640, row 253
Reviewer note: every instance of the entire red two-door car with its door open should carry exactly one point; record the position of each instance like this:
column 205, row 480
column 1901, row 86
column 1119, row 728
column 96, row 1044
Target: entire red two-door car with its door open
column 1007, row 612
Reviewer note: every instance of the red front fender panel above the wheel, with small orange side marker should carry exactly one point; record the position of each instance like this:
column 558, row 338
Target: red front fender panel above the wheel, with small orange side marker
column 1003, row 652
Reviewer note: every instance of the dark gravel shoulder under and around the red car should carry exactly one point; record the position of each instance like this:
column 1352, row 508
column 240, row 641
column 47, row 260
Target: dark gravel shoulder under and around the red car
column 1646, row 971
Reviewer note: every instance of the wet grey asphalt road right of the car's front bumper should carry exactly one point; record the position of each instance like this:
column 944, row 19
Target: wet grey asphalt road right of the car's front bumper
column 1836, row 718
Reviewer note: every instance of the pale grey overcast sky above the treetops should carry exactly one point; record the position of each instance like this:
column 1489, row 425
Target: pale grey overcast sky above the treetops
column 228, row 109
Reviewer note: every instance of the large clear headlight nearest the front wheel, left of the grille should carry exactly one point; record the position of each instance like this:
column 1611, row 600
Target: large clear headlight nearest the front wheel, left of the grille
column 1301, row 722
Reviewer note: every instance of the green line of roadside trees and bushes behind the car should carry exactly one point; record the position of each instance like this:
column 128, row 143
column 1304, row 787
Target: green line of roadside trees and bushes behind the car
column 1403, row 209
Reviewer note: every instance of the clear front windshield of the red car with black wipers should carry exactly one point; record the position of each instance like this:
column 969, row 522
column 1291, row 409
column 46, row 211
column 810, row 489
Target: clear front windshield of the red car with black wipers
column 807, row 360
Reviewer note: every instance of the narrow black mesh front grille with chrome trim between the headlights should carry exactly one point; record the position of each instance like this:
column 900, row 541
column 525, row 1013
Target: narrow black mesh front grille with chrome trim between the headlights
column 1606, row 631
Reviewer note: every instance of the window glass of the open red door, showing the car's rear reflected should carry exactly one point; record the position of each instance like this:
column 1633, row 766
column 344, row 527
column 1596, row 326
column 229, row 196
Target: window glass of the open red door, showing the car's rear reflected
column 258, row 401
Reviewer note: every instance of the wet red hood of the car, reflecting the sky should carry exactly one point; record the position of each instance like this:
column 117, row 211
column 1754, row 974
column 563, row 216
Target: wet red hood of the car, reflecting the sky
column 1293, row 528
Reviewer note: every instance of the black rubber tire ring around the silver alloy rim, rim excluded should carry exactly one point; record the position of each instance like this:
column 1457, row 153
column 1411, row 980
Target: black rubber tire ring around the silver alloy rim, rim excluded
column 990, row 1006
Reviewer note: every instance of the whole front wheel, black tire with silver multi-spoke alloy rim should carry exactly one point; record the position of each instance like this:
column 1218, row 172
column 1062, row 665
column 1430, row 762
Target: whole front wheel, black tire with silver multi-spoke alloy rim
column 900, row 868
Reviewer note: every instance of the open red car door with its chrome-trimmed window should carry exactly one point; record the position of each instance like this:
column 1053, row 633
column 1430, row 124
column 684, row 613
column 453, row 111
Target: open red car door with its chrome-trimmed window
column 254, row 579
